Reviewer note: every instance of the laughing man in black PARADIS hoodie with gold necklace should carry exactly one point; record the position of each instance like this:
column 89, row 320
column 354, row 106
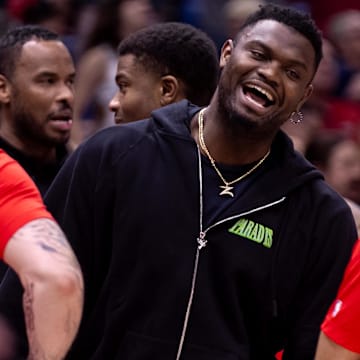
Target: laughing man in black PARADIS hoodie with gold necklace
column 201, row 233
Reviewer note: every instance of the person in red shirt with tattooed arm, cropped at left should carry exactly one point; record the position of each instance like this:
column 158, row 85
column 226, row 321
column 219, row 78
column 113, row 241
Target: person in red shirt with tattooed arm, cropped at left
column 33, row 244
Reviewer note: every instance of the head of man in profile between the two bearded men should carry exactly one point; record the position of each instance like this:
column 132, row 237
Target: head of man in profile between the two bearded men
column 160, row 65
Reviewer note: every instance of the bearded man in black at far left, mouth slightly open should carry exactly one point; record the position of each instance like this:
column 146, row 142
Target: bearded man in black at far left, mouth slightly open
column 36, row 101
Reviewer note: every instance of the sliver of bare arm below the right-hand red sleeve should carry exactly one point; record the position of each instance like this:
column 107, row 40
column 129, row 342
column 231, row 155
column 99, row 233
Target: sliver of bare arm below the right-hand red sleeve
column 329, row 350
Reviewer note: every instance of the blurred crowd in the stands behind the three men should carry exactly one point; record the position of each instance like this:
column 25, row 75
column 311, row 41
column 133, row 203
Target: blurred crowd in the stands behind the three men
column 329, row 135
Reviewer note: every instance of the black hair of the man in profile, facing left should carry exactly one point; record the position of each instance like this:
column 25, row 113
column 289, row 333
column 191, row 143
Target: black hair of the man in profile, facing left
column 178, row 49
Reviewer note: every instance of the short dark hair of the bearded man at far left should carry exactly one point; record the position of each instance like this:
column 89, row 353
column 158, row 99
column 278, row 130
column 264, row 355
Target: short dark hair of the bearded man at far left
column 12, row 41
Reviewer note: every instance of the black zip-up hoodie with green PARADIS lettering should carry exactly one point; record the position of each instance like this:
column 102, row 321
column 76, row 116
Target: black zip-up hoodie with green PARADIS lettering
column 129, row 201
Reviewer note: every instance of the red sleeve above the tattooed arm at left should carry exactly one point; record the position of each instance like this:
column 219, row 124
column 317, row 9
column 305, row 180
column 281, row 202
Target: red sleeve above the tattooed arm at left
column 20, row 201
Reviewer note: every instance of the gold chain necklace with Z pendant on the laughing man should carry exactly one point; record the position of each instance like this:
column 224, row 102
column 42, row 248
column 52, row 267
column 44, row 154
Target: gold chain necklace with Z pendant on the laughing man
column 226, row 188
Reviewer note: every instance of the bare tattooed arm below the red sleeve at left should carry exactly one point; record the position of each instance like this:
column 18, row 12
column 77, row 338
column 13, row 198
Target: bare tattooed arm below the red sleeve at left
column 53, row 287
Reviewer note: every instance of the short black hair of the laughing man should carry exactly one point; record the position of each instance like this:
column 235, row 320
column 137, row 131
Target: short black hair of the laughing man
column 291, row 17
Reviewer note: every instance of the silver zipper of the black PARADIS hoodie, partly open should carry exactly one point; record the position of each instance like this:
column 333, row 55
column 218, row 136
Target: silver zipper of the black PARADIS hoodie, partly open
column 202, row 242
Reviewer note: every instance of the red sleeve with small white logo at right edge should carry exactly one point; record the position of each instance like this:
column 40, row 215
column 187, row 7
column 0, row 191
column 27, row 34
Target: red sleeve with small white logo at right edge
column 342, row 322
